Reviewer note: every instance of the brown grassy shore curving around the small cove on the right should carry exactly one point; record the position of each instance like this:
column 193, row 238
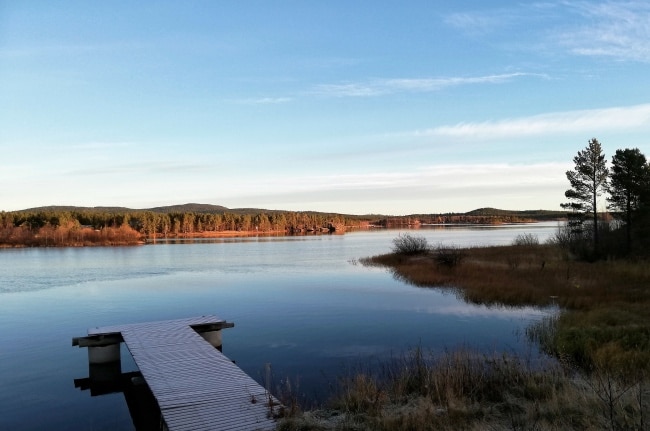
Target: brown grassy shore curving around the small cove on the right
column 601, row 337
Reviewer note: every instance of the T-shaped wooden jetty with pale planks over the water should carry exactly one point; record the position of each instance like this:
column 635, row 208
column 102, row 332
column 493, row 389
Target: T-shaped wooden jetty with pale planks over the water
column 195, row 385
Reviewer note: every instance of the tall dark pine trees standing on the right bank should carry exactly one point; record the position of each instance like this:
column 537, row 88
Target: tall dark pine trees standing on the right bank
column 626, row 184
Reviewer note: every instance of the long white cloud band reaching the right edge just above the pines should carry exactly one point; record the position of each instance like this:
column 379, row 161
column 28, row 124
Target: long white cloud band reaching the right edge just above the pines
column 619, row 118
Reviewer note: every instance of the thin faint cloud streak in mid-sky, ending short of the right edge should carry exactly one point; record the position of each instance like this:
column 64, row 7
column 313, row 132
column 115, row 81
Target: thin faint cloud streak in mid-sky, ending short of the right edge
column 379, row 87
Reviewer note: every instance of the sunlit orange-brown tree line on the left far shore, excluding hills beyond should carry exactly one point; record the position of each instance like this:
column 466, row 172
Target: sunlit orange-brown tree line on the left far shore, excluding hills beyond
column 87, row 227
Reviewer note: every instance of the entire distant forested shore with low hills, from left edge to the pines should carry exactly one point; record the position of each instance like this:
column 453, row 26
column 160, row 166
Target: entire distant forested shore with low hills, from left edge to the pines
column 78, row 226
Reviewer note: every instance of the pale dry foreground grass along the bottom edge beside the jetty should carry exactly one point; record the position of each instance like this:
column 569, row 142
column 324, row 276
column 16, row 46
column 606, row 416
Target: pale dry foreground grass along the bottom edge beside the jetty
column 465, row 390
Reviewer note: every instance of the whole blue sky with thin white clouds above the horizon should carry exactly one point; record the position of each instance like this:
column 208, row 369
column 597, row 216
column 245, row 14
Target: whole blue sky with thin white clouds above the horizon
column 339, row 106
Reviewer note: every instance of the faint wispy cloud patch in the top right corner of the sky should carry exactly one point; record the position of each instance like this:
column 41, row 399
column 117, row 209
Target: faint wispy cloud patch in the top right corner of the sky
column 615, row 29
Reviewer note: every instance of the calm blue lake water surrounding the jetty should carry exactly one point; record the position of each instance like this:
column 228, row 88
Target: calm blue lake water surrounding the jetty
column 300, row 303
